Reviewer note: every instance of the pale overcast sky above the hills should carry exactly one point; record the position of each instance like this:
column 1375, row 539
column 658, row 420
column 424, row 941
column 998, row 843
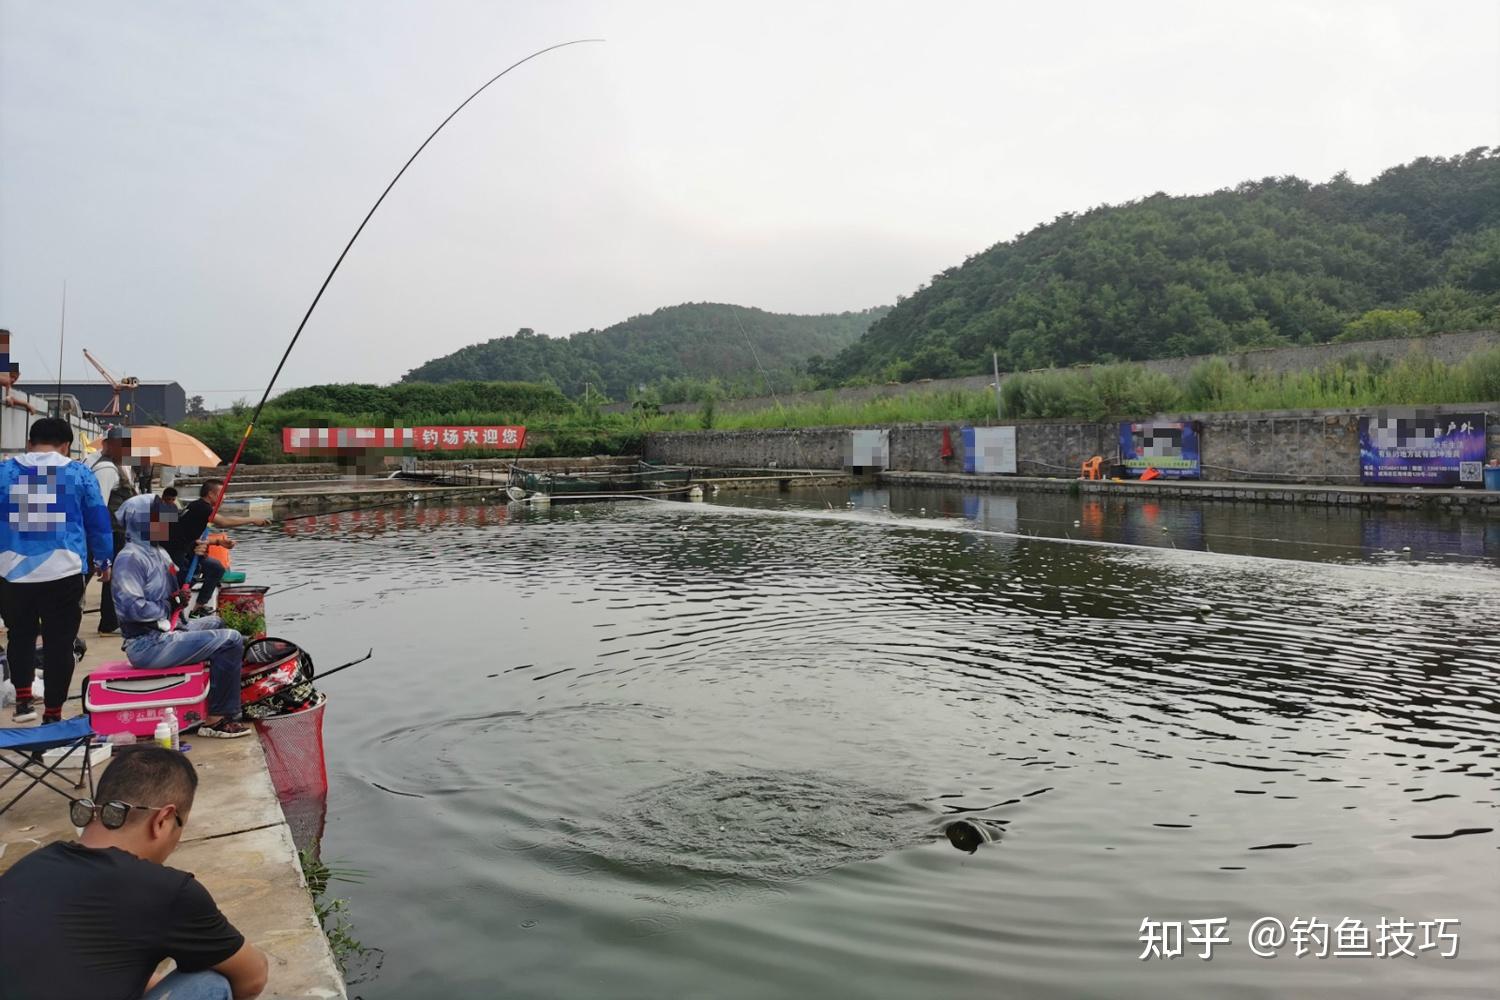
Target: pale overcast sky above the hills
column 193, row 170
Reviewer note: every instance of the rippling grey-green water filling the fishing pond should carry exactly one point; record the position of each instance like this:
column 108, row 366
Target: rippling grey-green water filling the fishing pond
column 710, row 750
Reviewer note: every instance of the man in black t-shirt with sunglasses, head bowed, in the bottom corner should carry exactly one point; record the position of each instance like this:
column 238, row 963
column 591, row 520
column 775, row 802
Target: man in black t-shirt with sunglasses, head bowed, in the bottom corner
column 94, row 920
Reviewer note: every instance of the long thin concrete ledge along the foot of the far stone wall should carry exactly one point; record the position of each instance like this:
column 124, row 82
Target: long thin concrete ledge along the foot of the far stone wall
column 1456, row 501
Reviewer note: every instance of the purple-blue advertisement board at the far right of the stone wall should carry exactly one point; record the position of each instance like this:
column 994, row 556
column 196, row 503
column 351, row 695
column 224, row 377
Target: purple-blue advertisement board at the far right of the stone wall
column 1423, row 449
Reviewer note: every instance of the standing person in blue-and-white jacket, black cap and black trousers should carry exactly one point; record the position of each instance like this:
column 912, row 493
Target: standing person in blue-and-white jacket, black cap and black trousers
column 52, row 518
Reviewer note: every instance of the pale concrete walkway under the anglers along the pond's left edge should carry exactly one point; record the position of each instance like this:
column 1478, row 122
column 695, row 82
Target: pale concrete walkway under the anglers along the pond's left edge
column 236, row 842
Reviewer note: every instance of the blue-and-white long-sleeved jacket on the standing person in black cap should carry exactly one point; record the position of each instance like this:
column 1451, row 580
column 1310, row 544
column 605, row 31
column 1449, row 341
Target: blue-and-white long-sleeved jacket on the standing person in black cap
column 52, row 518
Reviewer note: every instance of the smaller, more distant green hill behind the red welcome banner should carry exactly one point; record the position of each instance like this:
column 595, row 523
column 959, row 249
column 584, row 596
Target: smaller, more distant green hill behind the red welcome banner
column 695, row 341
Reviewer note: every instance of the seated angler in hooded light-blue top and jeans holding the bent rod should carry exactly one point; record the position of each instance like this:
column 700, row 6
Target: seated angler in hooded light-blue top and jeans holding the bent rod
column 146, row 594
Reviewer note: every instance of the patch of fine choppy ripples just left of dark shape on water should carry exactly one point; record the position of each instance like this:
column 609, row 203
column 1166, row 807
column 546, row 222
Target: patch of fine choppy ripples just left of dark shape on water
column 770, row 827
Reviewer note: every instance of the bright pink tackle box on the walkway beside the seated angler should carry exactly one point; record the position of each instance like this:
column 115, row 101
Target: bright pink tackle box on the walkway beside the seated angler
column 124, row 699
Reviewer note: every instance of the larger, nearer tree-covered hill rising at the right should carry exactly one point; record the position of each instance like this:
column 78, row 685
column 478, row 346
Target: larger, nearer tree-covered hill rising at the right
column 1265, row 263
